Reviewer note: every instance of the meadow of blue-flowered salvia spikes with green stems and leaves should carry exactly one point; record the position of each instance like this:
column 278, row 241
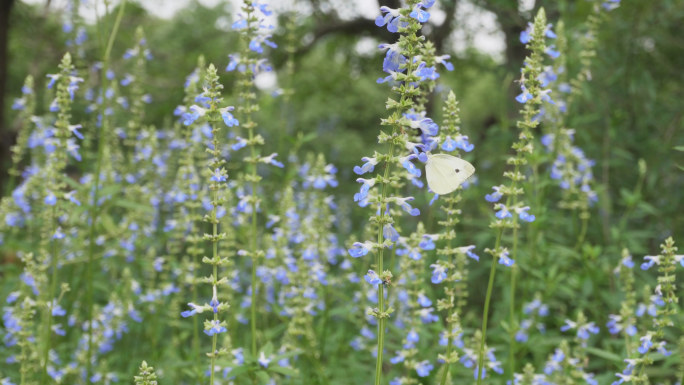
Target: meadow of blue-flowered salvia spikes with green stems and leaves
column 188, row 252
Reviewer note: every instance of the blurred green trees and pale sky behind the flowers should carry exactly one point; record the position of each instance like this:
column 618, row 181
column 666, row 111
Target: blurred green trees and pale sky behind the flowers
column 631, row 110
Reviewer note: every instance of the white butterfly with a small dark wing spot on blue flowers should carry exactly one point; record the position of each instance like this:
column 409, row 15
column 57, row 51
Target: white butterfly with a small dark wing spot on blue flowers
column 445, row 172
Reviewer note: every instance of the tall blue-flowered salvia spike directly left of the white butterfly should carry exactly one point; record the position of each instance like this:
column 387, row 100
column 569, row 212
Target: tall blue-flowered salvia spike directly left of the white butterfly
column 406, row 69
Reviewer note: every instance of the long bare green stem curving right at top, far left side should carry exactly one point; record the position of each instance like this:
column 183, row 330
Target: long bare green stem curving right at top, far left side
column 94, row 212
